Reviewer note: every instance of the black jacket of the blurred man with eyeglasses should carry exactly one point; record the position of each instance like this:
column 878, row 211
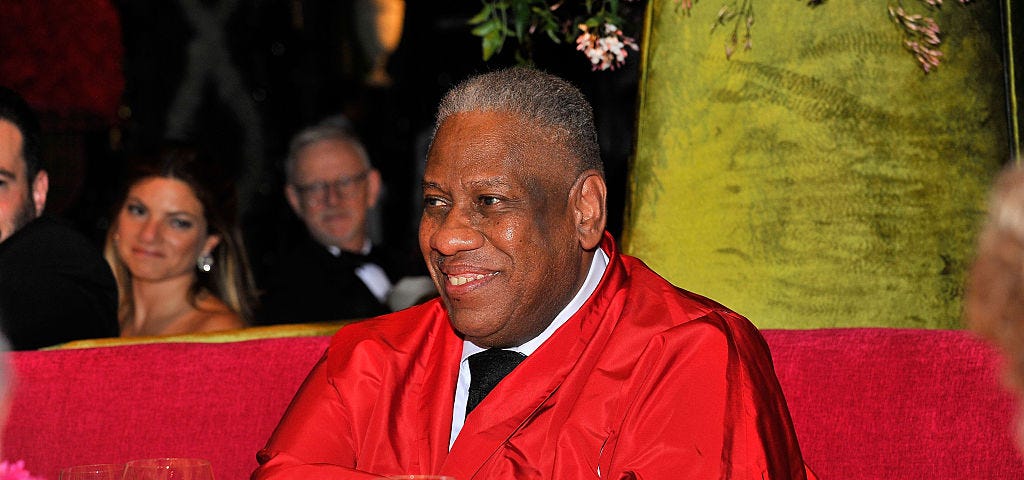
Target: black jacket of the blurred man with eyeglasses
column 311, row 285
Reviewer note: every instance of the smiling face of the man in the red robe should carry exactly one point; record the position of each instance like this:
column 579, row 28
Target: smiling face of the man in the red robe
column 502, row 231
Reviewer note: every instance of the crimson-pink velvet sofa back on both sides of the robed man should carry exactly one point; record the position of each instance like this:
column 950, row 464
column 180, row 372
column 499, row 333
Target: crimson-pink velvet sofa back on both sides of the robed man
column 868, row 404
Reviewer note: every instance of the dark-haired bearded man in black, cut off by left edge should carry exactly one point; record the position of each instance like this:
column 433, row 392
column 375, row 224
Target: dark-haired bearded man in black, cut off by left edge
column 55, row 286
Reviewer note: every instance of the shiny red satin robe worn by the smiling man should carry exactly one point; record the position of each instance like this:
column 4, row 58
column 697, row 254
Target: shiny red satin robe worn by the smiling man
column 646, row 381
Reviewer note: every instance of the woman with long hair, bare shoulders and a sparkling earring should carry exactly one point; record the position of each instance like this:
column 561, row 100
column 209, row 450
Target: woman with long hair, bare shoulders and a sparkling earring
column 177, row 252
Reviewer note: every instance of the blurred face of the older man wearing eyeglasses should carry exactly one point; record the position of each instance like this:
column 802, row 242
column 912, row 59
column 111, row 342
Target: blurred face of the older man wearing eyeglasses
column 333, row 191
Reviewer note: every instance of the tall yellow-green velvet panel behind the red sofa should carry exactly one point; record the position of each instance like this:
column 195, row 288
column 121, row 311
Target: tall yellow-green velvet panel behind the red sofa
column 820, row 180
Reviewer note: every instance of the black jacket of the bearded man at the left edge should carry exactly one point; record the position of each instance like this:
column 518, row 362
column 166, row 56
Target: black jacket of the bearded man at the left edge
column 55, row 287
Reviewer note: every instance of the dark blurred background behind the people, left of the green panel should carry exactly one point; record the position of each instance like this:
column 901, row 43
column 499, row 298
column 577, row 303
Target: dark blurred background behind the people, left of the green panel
column 115, row 79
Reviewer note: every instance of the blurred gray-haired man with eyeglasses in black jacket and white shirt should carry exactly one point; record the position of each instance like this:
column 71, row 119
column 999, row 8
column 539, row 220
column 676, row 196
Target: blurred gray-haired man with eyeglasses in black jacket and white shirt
column 335, row 273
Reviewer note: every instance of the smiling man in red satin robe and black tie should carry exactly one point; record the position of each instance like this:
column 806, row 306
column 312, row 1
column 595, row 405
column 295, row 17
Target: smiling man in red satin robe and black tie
column 620, row 375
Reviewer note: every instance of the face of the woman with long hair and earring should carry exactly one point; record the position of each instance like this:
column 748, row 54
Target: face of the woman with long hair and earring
column 161, row 231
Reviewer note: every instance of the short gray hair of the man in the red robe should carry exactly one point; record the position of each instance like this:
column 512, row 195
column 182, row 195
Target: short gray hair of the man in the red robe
column 536, row 97
